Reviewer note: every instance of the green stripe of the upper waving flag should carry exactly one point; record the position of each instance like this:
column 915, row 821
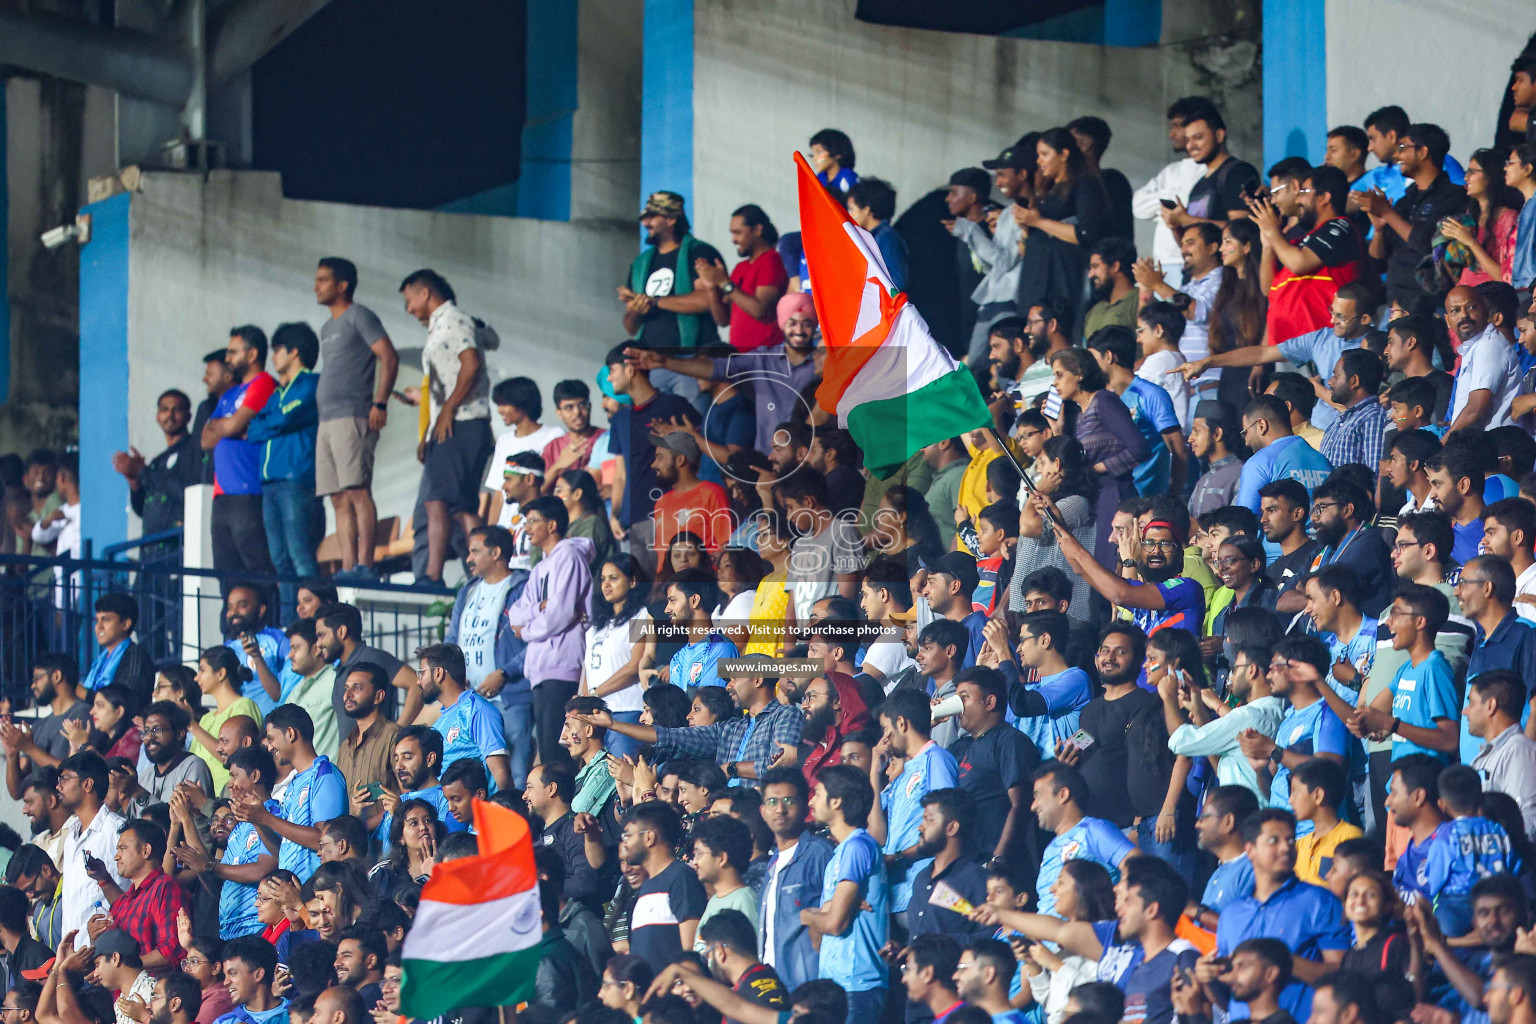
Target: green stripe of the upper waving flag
column 890, row 431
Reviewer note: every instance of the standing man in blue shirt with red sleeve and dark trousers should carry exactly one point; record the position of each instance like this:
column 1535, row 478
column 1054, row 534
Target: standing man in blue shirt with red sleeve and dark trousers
column 239, row 537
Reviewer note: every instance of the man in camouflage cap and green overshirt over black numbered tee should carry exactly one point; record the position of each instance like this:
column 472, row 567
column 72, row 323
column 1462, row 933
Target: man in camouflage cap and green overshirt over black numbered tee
column 664, row 306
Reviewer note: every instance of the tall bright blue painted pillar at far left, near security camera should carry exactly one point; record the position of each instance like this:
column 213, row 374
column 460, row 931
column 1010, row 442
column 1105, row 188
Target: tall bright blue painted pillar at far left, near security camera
column 104, row 371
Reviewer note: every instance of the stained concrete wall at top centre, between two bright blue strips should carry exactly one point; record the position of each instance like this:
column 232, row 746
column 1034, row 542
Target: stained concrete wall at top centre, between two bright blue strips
column 919, row 105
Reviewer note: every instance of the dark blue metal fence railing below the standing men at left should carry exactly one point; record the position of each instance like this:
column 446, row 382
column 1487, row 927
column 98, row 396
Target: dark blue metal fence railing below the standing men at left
column 47, row 607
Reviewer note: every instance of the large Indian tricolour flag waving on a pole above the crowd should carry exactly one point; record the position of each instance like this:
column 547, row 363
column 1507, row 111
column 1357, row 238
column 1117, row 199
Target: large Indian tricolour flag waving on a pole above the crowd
column 890, row 385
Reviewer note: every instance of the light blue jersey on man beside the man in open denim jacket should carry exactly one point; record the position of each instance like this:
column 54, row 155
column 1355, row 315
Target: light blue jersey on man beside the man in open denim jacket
column 853, row 959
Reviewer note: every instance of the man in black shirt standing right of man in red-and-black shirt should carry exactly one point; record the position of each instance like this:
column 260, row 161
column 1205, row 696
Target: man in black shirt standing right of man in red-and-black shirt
column 1403, row 231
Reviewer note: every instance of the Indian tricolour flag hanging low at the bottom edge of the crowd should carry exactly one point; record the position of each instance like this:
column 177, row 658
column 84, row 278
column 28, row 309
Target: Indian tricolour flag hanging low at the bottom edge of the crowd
column 477, row 936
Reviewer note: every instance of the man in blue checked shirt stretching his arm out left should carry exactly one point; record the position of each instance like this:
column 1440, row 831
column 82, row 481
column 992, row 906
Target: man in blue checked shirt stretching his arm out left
column 744, row 747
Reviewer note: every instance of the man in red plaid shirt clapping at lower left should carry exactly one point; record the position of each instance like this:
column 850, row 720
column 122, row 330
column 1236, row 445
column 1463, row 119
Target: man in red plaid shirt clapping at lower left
column 147, row 910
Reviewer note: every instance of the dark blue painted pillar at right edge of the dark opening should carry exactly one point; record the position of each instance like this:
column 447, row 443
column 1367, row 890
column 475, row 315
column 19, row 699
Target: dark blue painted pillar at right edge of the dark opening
column 545, row 187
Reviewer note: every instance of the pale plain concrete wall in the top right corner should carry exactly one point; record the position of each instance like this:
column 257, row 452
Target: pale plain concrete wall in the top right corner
column 1394, row 51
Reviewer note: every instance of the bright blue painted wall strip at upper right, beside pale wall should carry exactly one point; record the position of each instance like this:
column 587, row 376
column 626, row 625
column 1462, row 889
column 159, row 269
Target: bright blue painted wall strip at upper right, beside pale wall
column 1296, row 81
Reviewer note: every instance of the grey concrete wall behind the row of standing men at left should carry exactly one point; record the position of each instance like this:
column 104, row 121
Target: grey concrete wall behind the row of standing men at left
column 210, row 256
